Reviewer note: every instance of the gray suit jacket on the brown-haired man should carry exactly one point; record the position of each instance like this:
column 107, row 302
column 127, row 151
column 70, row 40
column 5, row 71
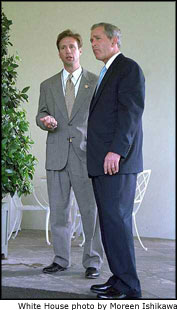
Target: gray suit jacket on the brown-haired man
column 52, row 102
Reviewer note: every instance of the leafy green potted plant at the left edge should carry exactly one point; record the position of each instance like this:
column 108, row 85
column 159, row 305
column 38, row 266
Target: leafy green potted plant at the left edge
column 17, row 163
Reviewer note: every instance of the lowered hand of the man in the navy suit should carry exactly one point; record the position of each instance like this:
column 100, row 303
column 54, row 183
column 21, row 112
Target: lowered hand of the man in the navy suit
column 111, row 163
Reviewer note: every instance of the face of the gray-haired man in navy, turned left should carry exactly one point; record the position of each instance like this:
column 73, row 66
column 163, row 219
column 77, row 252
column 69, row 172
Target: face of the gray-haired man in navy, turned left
column 102, row 46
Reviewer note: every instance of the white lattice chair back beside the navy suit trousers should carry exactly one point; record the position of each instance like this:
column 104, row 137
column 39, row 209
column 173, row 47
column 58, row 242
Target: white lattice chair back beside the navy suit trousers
column 141, row 186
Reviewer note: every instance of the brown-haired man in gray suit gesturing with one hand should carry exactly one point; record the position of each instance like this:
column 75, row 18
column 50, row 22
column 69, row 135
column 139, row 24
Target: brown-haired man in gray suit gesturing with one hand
column 63, row 111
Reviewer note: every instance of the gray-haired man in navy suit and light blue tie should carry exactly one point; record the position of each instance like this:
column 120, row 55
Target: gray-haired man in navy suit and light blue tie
column 114, row 157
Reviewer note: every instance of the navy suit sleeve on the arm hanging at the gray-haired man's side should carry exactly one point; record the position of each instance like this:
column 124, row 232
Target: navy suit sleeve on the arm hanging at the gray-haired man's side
column 131, row 93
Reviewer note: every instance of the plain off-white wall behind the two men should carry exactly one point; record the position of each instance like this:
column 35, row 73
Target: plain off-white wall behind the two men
column 148, row 36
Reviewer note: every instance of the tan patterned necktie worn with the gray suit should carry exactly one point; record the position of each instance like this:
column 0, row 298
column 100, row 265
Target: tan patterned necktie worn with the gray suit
column 69, row 94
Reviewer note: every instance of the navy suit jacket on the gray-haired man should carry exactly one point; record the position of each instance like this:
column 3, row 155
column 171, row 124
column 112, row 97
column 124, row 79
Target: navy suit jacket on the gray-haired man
column 115, row 118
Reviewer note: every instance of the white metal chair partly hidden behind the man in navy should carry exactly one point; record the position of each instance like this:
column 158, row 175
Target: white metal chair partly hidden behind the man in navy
column 141, row 186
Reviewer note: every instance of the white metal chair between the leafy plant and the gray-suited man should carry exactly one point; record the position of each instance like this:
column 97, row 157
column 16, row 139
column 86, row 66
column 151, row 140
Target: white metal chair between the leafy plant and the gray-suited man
column 17, row 203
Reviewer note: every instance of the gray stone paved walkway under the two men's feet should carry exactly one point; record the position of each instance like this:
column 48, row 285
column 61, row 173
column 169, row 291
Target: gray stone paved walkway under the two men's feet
column 28, row 254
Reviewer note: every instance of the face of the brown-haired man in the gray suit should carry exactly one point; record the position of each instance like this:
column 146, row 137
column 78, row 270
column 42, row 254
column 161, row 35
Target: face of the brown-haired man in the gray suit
column 69, row 52
